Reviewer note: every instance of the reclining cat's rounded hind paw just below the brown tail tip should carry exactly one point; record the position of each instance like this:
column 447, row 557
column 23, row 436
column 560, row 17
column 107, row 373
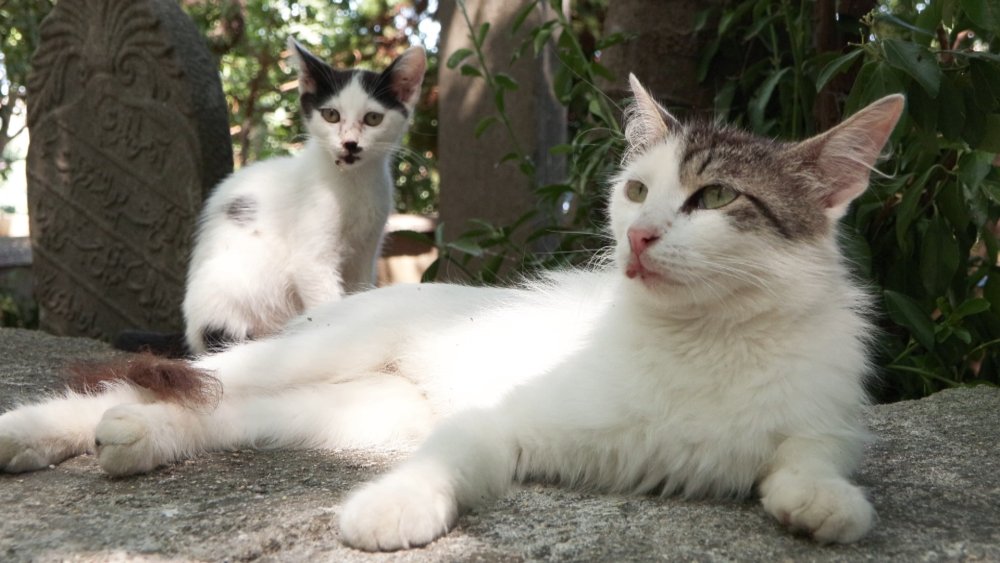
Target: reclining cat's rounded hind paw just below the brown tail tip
column 124, row 444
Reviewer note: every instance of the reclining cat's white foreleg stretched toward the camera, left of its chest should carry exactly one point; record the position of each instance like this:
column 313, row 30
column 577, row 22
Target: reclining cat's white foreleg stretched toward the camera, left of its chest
column 469, row 460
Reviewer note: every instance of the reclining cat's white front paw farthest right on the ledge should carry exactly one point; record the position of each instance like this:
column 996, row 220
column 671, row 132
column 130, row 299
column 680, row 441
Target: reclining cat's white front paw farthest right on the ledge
column 831, row 510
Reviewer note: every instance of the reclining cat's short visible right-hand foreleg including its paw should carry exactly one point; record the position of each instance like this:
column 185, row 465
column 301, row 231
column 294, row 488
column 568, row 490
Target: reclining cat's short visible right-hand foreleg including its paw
column 806, row 489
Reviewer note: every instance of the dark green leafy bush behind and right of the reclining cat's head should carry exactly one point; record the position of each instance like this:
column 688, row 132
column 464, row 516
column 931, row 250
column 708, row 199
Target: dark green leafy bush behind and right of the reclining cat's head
column 925, row 235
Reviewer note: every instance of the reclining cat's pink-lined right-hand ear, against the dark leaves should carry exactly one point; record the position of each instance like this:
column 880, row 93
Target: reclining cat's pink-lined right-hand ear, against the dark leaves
column 844, row 156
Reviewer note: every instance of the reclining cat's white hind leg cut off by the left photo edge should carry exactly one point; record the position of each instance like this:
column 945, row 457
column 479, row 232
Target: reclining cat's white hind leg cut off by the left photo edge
column 36, row 436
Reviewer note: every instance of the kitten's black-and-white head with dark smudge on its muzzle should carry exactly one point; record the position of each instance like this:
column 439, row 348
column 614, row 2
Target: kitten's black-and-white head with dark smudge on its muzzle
column 357, row 115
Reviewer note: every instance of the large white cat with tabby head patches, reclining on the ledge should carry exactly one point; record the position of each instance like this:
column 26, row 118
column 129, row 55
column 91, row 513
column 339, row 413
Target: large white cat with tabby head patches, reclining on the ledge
column 723, row 349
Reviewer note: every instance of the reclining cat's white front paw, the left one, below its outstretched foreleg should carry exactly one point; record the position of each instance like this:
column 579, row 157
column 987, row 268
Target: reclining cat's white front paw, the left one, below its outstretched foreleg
column 401, row 510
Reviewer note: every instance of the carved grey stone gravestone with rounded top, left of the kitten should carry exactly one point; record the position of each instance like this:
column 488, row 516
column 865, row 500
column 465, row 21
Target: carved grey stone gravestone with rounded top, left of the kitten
column 129, row 132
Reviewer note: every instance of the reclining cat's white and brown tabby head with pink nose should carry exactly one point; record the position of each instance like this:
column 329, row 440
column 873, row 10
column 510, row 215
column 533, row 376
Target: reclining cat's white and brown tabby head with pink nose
column 714, row 211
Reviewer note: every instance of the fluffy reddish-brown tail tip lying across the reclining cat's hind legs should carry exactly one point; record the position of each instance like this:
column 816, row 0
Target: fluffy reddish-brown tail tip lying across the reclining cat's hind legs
column 174, row 381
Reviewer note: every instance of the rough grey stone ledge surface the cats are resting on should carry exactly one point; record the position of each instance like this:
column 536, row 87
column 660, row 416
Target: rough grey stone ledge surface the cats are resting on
column 933, row 474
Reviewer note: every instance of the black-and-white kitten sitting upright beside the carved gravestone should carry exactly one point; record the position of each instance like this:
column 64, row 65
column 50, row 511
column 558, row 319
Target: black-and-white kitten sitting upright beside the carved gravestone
column 291, row 233
